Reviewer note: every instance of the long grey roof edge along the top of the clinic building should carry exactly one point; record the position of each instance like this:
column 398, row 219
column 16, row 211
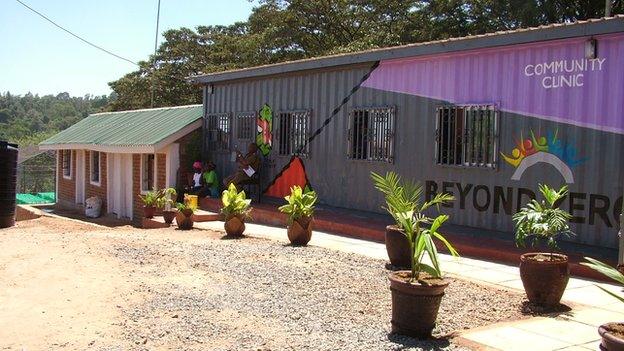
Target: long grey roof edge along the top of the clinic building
column 605, row 25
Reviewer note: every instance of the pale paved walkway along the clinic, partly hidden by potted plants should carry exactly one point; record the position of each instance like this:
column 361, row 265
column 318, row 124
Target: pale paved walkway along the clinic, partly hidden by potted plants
column 573, row 330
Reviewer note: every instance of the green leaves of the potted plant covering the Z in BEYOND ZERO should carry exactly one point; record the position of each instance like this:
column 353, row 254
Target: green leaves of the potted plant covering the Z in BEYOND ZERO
column 543, row 220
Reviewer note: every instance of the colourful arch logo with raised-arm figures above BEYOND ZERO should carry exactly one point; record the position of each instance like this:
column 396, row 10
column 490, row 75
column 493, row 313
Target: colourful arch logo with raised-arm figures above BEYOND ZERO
column 543, row 149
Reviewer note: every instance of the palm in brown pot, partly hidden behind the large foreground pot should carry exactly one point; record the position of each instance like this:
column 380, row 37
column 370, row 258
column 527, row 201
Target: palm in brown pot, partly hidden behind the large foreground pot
column 395, row 240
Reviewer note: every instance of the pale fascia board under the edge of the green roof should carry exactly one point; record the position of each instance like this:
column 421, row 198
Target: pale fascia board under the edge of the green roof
column 127, row 149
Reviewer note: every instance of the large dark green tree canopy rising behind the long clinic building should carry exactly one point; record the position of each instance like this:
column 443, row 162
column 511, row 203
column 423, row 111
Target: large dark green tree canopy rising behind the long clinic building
column 285, row 30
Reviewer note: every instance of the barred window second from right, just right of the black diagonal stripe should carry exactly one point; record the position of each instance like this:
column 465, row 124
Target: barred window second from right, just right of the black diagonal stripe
column 371, row 134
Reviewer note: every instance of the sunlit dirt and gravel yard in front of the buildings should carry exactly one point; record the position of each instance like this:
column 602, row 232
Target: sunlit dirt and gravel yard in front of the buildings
column 67, row 285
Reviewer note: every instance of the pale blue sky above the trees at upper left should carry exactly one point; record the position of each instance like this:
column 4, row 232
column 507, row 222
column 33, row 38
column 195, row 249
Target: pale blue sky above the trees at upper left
column 39, row 58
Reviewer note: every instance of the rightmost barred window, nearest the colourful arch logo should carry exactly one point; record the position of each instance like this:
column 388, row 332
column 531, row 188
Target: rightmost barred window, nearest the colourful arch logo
column 467, row 135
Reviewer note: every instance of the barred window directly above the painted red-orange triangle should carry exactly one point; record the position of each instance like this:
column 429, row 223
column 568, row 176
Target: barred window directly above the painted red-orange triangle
column 292, row 133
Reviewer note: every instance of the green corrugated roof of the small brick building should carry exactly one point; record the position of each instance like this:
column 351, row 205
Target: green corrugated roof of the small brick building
column 128, row 128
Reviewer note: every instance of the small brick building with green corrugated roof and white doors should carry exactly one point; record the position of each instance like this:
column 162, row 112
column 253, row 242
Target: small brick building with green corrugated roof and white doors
column 117, row 156
